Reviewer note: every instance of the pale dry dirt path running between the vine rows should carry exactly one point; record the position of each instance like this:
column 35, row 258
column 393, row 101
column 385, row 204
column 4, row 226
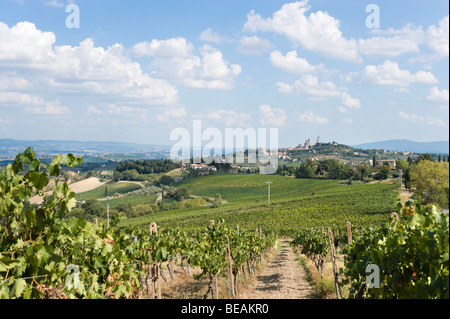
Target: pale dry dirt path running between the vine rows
column 282, row 278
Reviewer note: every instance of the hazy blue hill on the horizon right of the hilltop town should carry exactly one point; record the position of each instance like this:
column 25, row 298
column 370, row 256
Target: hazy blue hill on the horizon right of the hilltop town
column 441, row 147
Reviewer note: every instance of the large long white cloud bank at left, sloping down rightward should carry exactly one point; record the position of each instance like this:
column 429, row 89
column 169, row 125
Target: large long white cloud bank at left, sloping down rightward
column 84, row 69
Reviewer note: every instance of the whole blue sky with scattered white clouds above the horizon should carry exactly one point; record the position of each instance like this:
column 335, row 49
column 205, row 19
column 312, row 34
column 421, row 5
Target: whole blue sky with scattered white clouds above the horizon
column 135, row 70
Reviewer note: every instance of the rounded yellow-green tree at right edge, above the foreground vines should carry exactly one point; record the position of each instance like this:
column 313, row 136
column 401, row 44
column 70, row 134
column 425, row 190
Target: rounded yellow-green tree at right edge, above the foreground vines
column 431, row 182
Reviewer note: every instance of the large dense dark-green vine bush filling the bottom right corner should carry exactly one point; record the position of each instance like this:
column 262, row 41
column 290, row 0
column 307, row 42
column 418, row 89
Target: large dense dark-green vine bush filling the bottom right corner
column 412, row 256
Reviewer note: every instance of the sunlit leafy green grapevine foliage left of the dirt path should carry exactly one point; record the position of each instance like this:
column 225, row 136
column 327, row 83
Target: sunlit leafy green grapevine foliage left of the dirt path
column 42, row 243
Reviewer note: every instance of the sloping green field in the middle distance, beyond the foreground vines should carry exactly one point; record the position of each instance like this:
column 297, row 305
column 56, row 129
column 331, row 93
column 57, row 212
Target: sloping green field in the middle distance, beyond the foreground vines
column 295, row 204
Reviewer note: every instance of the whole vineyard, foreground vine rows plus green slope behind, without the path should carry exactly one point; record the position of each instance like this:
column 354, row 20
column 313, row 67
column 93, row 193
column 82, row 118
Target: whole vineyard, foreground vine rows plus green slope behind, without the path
column 44, row 254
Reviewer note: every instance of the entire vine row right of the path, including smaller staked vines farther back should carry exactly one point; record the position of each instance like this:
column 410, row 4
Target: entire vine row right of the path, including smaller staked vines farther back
column 408, row 255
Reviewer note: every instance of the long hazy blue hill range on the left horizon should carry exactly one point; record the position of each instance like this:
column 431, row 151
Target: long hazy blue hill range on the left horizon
column 9, row 147
